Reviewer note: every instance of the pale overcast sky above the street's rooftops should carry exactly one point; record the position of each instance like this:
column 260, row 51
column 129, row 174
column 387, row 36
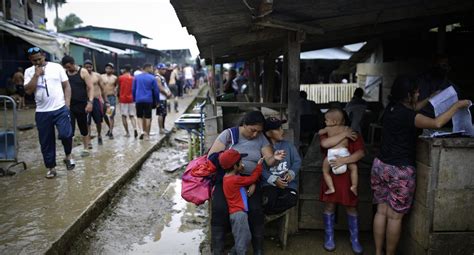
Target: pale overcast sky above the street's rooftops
column 153, row 18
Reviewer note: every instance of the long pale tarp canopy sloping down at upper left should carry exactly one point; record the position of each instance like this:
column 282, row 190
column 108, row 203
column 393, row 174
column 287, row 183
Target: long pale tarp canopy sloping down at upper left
column 55, row 46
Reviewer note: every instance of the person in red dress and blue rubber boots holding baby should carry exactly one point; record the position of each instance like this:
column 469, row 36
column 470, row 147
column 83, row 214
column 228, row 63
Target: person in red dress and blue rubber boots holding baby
column 342, row 195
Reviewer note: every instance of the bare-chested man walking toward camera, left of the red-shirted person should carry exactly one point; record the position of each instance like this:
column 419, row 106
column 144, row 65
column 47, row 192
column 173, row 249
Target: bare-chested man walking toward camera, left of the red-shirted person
column 110, row 83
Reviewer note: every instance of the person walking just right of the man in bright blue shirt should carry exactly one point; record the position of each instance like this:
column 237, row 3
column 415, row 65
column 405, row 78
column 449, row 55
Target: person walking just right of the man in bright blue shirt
column 164, row 94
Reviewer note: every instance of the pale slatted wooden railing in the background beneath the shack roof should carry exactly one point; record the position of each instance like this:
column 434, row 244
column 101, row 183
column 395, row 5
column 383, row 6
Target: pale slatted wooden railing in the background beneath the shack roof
column 325, row 93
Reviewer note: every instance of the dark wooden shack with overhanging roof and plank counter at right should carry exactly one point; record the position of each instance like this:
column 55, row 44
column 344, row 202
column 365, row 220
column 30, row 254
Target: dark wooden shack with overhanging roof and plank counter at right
column 401, row 37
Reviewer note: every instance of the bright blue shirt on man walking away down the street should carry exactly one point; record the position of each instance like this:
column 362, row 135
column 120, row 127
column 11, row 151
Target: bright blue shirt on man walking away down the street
column 145, row 89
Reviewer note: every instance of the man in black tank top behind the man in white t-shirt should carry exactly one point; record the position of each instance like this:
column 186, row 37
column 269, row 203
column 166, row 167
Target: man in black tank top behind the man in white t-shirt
column 82, row 94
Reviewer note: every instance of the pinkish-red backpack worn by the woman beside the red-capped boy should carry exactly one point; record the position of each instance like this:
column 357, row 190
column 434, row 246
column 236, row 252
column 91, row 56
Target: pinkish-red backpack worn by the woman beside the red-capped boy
column 196, row 182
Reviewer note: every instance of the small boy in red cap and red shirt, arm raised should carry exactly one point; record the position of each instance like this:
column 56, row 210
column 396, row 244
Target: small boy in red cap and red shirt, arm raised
column 235, row 192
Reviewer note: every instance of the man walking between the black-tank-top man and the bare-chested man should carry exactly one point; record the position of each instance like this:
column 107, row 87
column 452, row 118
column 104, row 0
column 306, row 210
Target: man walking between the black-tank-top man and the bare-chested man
column 98, row 103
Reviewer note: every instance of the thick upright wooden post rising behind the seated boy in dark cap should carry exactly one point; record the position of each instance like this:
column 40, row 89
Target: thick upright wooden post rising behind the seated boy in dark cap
column 294, row 50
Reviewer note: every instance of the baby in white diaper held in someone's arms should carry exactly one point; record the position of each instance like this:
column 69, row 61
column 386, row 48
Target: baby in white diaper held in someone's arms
column 334, row 119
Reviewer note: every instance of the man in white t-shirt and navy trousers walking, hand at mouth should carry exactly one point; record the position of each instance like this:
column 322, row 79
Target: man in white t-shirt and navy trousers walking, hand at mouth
column 50, row 84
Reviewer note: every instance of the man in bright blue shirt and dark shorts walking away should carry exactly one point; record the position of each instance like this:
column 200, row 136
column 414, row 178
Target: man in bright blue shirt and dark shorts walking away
column 145, row 93
